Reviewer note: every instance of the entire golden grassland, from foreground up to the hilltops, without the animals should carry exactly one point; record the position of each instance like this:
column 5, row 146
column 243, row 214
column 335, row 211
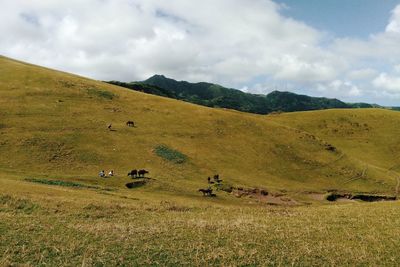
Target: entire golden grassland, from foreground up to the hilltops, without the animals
column 55, row 211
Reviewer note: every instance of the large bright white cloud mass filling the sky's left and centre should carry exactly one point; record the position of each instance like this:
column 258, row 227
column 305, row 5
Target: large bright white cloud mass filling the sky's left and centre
column 133, row 39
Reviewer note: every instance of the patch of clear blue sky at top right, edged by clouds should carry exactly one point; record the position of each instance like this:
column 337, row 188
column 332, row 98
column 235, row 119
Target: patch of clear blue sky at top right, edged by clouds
column 342, row 18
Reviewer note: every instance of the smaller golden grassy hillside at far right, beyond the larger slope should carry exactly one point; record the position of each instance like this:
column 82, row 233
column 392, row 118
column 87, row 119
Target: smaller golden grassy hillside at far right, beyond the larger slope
column 369, row 135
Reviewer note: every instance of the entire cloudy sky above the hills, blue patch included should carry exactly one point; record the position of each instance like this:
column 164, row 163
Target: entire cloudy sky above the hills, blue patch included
column 347, row 49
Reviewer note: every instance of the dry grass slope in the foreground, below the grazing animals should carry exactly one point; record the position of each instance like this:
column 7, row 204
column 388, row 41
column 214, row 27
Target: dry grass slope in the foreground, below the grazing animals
column 53, row 226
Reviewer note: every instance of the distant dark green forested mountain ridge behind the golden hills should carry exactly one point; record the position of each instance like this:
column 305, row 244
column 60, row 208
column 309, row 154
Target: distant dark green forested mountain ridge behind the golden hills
column 213, row 95
